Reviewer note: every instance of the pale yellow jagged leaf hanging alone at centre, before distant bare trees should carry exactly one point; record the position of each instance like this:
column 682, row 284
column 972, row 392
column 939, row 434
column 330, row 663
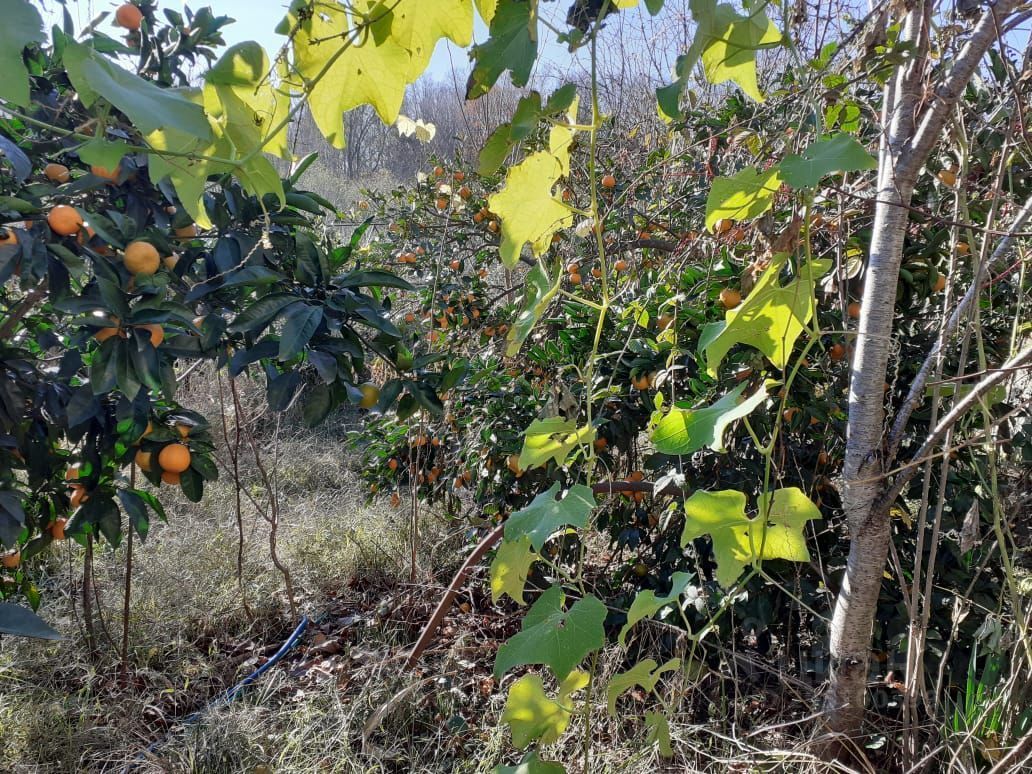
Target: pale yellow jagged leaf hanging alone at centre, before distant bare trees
column 527, row 208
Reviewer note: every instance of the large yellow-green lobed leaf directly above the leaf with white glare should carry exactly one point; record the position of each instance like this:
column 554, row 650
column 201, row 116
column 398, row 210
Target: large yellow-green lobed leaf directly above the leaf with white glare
column 770, row 319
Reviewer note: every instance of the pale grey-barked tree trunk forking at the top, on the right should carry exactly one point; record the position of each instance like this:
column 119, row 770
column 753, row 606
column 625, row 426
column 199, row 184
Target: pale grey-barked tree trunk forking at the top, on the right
column 910, row 137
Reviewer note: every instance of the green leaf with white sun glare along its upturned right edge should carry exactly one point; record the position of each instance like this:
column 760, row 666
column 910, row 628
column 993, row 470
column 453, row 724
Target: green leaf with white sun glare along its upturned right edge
column 688, row 431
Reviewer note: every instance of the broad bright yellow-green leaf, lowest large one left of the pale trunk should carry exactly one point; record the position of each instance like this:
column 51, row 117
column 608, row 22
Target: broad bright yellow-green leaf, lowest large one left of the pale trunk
column 739, row 541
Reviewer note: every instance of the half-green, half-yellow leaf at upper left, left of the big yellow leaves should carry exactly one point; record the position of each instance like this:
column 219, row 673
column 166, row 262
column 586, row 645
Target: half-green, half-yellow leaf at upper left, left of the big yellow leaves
column 241, row 91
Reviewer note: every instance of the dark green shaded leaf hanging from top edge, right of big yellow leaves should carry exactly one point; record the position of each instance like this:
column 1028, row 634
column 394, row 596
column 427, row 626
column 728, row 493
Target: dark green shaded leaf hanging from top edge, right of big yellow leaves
column 511, row 46
